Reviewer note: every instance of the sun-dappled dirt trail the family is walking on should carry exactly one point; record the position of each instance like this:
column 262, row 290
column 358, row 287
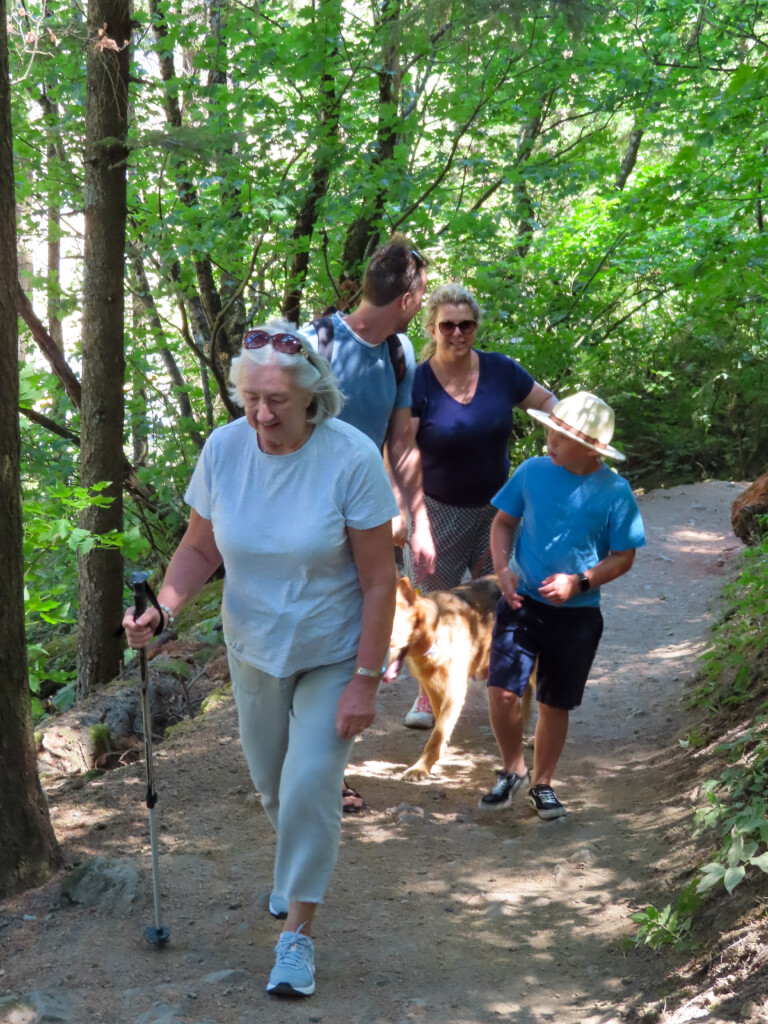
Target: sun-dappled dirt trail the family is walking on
column 437, row 914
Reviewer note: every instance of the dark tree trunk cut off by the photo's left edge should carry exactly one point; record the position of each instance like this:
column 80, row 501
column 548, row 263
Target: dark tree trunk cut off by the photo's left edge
column 29, row 852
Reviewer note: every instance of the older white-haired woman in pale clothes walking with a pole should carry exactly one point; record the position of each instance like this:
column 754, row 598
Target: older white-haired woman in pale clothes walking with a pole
column 298, row 507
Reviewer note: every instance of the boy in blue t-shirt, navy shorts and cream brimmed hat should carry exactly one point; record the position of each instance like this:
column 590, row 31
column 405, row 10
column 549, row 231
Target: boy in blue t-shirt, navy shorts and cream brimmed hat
column 580, row 528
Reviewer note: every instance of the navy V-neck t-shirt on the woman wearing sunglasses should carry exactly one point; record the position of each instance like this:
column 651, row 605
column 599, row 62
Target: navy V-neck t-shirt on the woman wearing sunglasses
column 464, row 449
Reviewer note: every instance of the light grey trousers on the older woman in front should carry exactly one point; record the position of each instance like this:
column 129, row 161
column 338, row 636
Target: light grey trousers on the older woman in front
column 297, row 762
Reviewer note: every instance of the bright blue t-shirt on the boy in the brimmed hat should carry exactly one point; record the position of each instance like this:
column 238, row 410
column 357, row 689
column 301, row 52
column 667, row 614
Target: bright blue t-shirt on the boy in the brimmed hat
column 570, row 523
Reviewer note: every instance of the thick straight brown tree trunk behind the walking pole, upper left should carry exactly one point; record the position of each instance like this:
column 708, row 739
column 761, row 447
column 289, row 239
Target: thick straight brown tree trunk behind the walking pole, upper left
column 101, row 572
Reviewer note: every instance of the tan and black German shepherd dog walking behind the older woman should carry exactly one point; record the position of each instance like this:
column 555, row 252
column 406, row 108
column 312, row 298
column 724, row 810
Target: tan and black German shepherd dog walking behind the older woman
column 446, row 638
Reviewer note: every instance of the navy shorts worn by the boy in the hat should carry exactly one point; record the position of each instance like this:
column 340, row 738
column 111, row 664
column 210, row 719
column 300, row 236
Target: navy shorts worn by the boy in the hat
column 565, row 641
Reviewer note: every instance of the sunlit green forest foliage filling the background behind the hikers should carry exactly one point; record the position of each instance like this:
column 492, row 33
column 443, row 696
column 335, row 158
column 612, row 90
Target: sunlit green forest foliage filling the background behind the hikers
column 592, row 172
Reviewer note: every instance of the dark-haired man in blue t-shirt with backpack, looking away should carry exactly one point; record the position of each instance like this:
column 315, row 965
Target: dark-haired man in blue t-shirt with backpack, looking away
column 377, row 403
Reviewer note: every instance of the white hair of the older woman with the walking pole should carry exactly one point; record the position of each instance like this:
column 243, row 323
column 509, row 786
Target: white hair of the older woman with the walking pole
column 313, row 374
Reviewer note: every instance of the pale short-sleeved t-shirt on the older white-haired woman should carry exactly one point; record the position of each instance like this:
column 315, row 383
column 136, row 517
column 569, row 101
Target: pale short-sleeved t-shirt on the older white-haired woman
column 292, row 598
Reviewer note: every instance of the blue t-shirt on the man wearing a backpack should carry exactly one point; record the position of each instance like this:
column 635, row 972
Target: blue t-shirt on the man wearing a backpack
column 367, row 378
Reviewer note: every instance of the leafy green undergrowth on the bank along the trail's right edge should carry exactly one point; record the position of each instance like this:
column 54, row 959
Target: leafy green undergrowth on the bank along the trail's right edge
column 731, row 740
